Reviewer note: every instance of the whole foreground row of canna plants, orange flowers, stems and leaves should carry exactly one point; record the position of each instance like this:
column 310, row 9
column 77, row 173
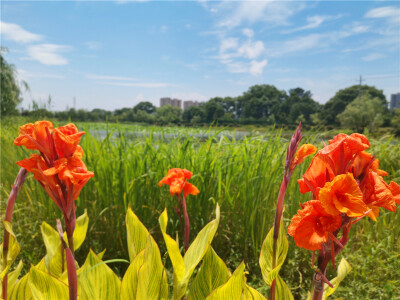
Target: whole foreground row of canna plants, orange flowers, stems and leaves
column 346, row 185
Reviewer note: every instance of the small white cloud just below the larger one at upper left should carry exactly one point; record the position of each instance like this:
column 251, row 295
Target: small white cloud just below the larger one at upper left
column 48, row 54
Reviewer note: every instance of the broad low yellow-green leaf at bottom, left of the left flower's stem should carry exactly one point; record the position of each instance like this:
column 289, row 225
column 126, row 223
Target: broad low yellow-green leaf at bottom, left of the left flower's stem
column 46, row 287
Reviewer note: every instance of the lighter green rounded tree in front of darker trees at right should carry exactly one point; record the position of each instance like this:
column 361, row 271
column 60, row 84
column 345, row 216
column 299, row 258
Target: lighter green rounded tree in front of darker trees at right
column 363, row 113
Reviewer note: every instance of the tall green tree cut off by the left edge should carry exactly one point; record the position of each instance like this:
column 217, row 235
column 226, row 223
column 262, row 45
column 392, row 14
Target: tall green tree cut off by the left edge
column 10, row 88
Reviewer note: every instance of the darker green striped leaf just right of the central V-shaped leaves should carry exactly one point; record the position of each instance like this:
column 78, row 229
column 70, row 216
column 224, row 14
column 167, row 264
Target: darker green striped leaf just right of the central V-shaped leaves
column 213, row 273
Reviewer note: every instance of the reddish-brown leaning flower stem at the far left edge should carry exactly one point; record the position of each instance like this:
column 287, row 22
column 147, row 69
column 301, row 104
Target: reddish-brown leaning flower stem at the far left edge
column 19, row 181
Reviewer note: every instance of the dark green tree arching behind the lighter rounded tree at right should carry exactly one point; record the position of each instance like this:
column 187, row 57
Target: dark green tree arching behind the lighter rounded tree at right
column 342, row 98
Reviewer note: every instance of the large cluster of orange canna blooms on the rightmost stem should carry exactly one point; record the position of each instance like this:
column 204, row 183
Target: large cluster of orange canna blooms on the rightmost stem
column 346, row 185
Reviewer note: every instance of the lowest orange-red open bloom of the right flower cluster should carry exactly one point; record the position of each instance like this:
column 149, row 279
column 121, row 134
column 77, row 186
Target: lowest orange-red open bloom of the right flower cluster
column 312, row 225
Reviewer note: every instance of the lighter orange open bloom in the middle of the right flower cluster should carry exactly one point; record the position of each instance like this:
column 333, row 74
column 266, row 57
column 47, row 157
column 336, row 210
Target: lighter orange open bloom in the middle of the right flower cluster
column 343, row 195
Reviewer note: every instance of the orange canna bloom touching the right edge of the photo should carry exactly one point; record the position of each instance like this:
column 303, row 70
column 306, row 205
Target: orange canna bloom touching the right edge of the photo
column 377, row 193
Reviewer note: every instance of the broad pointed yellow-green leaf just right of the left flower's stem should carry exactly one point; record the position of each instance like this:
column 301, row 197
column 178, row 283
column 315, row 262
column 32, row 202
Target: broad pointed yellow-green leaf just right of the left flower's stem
column 97, row 280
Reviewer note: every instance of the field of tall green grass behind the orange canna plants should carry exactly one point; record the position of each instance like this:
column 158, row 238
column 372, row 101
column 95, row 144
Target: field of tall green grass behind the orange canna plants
column 242, row 171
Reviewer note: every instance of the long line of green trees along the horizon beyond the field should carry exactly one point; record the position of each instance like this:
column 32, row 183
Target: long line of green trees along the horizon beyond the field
column 355, row 107
